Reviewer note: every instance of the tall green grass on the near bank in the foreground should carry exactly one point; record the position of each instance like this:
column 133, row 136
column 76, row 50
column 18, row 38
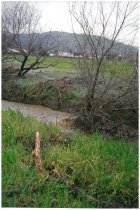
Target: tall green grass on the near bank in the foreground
column 104, row 169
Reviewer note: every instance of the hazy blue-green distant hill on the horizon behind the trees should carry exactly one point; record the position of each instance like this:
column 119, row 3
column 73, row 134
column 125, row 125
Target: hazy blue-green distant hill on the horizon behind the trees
column 64, row 41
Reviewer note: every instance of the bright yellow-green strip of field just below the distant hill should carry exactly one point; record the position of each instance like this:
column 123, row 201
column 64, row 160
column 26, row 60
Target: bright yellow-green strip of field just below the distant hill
column 68, row 64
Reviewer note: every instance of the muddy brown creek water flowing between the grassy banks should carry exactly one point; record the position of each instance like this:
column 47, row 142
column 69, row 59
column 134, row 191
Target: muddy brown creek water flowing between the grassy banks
column 44, row 114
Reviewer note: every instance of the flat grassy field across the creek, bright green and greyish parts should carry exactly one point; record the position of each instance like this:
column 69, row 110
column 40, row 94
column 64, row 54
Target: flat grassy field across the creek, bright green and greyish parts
column 66, row 68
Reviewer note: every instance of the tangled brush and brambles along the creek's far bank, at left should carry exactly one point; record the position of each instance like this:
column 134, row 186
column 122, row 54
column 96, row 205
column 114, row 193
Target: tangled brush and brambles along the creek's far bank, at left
column 48, row 94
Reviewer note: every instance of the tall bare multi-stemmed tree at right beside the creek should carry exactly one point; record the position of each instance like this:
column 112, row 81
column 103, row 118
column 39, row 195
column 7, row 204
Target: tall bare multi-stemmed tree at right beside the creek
column 102, row 24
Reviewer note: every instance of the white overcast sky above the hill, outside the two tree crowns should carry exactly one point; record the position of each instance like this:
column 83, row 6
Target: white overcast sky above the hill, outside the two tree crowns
column 56, row 17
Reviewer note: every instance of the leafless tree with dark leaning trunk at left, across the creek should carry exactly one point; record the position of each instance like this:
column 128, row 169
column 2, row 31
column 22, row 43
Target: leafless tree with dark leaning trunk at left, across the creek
column 21, row 30
